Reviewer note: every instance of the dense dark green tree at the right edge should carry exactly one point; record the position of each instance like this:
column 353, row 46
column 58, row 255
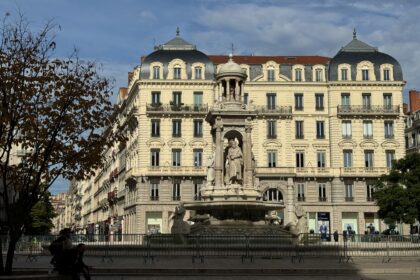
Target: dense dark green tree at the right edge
column 398, row 193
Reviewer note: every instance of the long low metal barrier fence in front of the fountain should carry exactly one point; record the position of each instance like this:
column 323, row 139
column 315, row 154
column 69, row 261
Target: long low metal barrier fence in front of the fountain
column 244, row 246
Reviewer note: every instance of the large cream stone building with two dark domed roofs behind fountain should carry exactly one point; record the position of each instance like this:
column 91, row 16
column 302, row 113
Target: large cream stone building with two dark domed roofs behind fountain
column 323, row 131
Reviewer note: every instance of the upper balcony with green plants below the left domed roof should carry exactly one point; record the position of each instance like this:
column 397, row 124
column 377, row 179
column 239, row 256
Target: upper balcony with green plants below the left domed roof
column 159, row 109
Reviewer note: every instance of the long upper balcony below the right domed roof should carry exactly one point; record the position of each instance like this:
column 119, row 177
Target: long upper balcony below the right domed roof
column 351, row 110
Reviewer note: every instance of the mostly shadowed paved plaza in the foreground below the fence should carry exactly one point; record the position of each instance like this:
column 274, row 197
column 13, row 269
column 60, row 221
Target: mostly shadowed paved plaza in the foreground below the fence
column 233, row 268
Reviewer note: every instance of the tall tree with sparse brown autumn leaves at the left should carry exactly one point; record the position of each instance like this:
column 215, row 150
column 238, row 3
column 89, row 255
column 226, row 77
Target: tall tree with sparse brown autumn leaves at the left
column 53, row 112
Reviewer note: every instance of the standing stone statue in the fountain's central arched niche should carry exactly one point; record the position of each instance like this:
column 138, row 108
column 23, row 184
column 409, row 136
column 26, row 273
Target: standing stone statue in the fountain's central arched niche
column 234, row 162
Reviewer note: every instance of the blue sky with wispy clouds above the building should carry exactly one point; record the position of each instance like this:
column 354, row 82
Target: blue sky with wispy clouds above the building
column 116, row 34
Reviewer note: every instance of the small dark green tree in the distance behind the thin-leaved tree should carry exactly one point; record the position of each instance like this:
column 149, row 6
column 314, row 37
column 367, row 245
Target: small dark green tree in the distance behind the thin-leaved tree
column 40, row 218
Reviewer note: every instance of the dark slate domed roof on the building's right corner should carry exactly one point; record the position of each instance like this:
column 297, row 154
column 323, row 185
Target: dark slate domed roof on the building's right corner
column 357, row 51
